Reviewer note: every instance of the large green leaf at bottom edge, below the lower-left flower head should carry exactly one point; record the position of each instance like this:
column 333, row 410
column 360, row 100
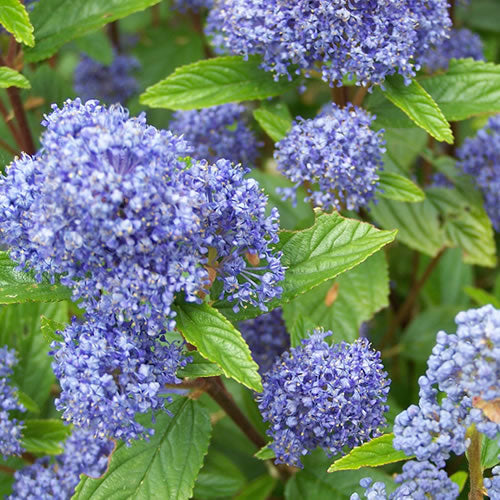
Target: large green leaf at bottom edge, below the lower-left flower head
column 165, row 466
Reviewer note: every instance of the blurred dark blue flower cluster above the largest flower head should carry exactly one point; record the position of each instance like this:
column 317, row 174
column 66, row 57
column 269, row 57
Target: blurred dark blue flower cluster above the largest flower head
column 113, row 83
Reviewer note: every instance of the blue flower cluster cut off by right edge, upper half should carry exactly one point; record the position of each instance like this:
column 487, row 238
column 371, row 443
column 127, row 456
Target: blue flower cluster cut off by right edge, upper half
column 480, row 157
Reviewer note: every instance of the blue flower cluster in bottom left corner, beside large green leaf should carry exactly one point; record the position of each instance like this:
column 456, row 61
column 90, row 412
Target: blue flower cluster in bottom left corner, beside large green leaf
column 57, row 479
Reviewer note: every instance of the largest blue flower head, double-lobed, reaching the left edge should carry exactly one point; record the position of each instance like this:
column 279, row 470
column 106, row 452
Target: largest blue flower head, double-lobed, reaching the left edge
column 111, row 205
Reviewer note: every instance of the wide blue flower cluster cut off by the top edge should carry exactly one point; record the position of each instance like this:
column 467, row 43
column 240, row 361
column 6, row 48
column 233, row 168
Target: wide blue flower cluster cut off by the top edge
column 366, row 39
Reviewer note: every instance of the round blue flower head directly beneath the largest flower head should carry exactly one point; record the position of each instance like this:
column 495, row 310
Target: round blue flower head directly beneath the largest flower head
column 109, row 372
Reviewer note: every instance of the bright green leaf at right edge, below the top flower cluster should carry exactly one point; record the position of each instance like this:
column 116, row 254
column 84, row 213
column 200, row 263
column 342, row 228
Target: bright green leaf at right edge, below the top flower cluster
column 468, row 88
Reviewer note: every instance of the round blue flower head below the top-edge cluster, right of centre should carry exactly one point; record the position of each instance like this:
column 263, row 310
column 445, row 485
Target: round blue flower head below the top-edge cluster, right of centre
column 337, row 153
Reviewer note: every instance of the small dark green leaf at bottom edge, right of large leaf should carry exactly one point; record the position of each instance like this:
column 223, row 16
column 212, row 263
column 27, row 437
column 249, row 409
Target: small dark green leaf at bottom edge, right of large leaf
column 219, row 477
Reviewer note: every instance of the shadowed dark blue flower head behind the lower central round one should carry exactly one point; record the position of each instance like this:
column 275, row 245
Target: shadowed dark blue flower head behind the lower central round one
column 267, row 338
